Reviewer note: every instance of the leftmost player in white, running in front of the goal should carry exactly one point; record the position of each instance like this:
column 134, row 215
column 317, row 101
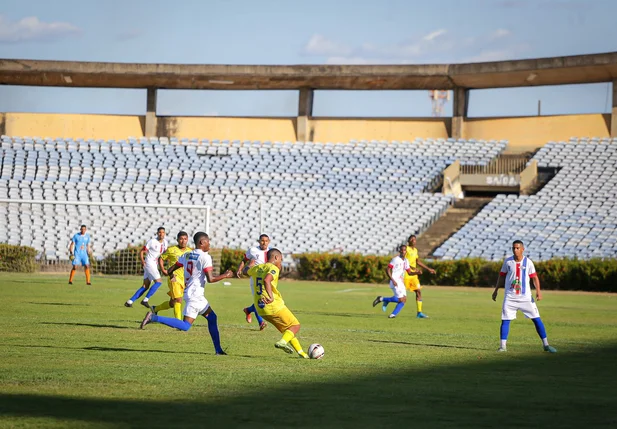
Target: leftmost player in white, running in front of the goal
column 150, row 255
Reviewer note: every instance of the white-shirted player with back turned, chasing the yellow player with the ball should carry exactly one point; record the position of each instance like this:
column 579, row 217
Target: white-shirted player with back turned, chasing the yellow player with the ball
column 197, row 267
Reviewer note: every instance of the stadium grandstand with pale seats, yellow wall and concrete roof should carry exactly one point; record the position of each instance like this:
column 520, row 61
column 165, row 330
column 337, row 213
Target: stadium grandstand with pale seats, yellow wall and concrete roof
column 354, row 185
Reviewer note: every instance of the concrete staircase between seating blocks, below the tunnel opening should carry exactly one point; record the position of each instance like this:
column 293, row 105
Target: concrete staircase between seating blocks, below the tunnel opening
column 455, row 217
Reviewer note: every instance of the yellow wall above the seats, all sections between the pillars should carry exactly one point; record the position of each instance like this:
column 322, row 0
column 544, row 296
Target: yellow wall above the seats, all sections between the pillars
column 524, row 133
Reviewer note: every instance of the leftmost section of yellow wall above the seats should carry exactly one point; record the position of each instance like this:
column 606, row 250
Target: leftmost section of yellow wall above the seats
column 71, row 125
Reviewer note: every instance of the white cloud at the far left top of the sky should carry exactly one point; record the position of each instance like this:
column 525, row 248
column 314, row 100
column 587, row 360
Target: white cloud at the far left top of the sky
column 31, row 28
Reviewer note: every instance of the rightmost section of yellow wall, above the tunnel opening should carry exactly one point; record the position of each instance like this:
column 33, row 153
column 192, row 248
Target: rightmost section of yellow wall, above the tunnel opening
column 530, row 132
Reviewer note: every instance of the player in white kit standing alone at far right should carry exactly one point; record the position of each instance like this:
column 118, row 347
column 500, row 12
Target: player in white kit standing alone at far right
column 516, row 273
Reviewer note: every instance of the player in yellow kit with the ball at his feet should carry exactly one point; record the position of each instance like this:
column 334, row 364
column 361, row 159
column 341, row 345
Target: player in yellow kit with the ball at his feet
column 269, row 302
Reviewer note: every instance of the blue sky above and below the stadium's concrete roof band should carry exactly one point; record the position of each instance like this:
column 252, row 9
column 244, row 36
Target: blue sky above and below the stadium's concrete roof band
column 316, row 32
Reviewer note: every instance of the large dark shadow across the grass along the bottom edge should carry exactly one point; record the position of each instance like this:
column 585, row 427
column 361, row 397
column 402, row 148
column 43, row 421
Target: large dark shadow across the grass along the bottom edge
column 506, row 390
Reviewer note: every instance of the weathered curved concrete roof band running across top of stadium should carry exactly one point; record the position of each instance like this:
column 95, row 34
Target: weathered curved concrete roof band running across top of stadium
column 500, row 74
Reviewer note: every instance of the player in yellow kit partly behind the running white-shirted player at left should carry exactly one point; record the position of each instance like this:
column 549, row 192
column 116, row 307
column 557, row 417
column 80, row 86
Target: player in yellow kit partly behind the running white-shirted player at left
column 176, row 281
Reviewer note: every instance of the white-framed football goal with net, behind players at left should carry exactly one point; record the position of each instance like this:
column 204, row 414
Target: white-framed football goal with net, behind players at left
column 118, row 230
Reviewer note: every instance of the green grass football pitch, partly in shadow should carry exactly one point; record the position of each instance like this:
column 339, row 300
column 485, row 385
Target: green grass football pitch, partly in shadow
column 73, row 356
